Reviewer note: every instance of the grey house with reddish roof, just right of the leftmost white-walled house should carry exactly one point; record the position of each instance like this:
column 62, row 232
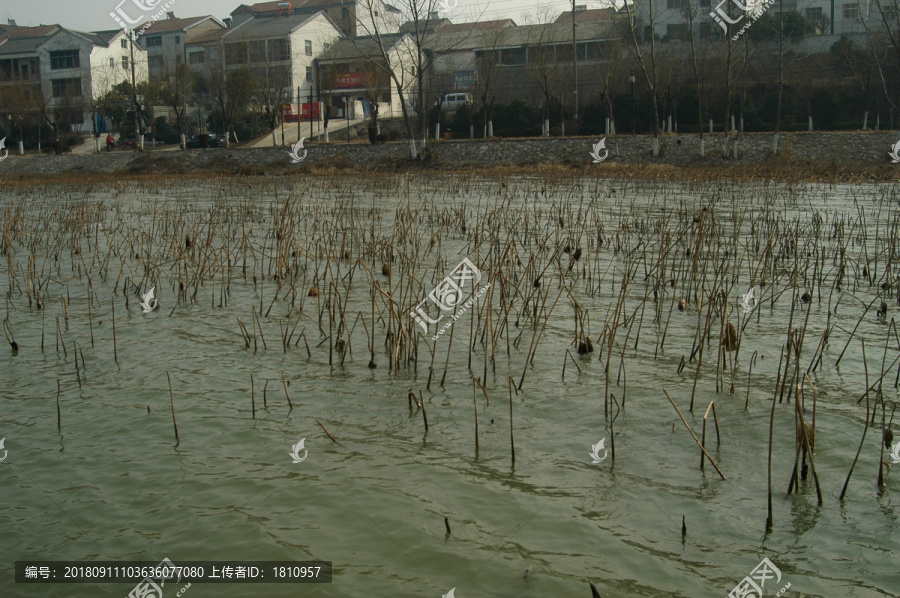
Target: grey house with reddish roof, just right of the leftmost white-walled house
column 166, row 41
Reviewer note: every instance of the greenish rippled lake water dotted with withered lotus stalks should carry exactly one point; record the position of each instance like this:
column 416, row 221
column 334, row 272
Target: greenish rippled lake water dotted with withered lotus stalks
column 115, row 484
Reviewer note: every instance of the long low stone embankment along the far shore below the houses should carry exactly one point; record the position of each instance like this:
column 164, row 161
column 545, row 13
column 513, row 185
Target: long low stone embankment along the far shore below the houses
column 831, row 156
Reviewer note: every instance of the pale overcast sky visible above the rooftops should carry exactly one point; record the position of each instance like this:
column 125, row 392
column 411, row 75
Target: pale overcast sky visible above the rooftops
column 93, row 15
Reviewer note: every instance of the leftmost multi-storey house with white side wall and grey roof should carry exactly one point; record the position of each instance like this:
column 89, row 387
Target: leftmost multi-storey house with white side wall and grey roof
column 62, row 71
